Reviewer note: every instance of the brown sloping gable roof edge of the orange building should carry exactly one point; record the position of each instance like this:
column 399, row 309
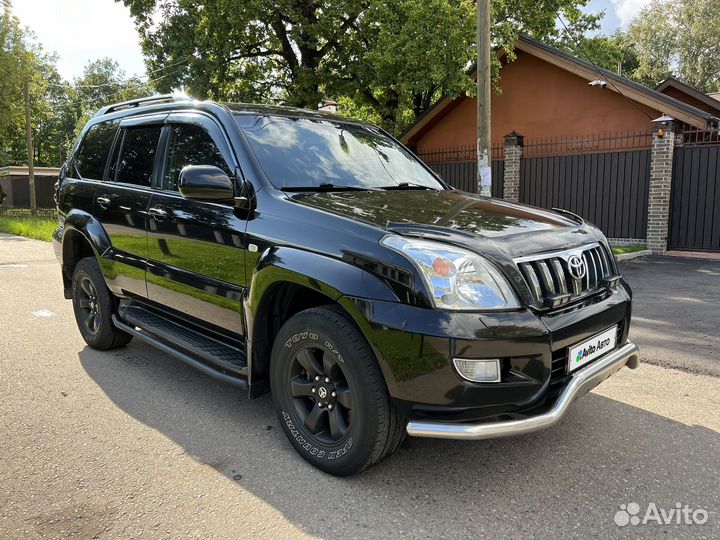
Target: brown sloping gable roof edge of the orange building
column 635, row 91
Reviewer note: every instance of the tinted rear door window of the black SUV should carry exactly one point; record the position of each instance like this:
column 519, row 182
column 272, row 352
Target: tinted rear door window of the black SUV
column 137, row 155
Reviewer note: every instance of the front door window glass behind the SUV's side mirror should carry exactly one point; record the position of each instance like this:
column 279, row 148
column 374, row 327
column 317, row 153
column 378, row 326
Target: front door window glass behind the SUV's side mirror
column 190, row 145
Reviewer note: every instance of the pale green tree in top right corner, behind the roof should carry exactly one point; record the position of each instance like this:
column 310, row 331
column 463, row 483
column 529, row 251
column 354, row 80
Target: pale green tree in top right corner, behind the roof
column 678, row 38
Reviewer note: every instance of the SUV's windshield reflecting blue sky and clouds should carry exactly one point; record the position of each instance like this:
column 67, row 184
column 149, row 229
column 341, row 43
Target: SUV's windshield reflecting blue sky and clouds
column 315, row 153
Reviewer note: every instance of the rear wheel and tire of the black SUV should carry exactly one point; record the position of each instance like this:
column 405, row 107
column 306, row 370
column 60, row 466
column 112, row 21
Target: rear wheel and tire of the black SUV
column 94, row 305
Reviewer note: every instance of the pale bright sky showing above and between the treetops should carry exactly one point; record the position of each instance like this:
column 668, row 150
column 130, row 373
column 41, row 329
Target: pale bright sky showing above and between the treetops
column 80, row 31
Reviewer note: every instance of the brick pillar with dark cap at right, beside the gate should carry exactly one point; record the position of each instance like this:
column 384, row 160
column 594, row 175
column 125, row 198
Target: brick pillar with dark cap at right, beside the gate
column 660, row 183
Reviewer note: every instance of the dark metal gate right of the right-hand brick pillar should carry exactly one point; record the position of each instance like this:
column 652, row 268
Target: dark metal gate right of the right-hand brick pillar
column 695, row 200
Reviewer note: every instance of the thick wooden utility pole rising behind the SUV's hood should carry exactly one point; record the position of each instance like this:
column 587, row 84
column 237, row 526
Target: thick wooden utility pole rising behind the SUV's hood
column 483, row 98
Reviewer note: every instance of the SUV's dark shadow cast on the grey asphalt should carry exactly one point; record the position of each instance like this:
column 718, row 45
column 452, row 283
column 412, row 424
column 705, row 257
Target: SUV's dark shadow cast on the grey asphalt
column 566, row 481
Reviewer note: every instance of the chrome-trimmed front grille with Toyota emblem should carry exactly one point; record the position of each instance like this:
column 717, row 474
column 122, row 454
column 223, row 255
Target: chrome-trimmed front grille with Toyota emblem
column 553, row 278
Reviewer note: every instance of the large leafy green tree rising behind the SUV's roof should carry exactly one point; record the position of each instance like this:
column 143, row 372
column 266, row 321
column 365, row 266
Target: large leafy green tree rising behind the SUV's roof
column 389, row 58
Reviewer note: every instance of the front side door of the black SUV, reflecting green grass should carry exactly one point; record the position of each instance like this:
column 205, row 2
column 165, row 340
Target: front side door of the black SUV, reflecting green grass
column 196, row 257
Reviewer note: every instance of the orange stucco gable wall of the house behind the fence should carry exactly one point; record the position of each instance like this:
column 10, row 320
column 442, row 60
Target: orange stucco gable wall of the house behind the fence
column 539, row 100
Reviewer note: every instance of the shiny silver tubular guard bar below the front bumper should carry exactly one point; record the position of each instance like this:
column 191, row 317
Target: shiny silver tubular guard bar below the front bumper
column 580, row 383
